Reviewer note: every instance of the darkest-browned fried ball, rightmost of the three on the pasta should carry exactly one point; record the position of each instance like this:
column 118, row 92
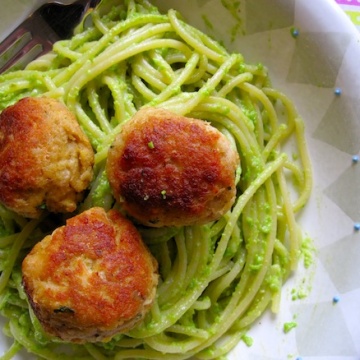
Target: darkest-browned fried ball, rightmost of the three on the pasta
column 170, row 170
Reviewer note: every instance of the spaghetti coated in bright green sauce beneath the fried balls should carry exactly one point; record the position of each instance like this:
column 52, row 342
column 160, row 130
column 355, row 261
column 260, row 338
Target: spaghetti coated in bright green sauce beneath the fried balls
column 218, row 278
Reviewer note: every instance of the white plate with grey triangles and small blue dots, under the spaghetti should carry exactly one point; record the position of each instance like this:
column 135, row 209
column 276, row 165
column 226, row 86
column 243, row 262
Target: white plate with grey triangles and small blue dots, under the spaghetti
column 325, row 330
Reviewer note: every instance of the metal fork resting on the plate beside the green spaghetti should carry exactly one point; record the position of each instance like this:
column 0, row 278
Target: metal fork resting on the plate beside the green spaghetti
column 36, row 35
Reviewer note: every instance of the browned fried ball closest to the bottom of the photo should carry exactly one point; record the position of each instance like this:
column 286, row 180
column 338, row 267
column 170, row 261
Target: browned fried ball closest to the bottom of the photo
column 90, row 279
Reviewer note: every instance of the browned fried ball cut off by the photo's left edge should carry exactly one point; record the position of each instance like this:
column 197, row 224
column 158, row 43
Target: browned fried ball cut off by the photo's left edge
column 45, row 158
